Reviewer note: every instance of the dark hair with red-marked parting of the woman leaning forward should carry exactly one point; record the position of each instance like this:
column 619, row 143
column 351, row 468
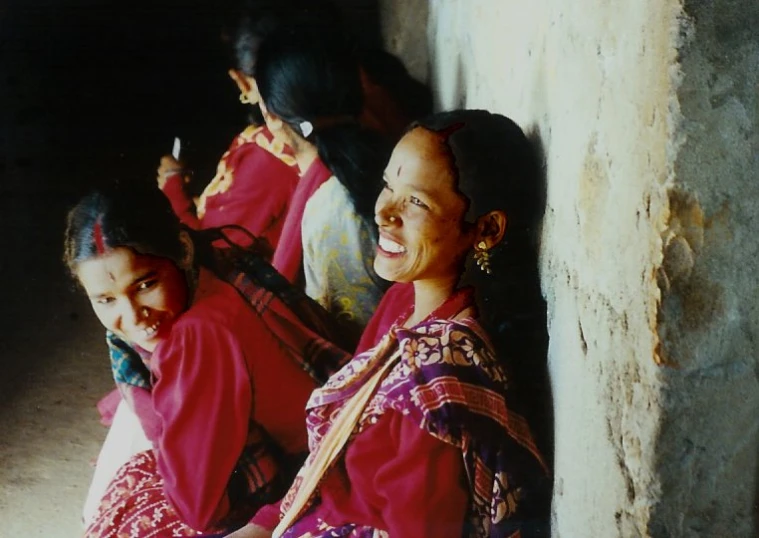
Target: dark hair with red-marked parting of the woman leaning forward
column 115, row 216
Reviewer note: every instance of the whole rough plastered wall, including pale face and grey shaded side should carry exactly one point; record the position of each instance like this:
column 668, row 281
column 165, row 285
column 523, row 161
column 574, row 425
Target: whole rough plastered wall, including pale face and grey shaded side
column 647, row 112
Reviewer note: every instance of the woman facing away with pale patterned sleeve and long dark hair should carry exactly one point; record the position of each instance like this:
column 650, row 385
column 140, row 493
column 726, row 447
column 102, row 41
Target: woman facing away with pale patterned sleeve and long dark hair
column 311, row 99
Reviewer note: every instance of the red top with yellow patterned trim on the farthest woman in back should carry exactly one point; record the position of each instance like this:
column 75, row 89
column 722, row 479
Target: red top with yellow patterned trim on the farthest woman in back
column 254, row 182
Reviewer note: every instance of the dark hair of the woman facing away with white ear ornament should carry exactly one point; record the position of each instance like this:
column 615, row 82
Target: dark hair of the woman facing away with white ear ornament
column 306, row 76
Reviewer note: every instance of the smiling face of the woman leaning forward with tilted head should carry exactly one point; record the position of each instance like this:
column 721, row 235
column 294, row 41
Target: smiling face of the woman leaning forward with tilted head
column 137, row 296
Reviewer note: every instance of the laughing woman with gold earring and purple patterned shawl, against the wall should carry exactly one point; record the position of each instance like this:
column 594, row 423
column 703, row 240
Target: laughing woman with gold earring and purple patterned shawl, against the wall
column 417, row 436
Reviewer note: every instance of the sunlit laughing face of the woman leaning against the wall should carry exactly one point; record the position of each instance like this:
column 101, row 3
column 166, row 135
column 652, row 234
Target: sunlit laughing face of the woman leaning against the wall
column 420, row 213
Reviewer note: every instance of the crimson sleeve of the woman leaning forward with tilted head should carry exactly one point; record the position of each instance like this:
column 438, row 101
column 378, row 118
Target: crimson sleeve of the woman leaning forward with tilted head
column 203, row 398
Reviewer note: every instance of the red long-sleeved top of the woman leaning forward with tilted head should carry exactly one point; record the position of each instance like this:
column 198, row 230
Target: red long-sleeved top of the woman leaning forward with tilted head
column 219, row 368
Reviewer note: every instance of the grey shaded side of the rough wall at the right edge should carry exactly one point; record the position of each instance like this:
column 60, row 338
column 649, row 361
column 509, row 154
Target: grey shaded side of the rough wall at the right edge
column 708, row 452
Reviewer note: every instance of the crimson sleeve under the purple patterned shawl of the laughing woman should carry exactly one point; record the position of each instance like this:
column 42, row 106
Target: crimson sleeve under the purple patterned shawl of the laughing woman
column 413, row 479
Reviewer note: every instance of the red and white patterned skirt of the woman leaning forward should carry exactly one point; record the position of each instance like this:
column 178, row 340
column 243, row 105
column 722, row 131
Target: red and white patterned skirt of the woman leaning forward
column 134, row 505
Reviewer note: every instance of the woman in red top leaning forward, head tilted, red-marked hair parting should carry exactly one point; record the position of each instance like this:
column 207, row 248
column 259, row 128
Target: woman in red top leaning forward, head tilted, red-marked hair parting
column 218, row 393
